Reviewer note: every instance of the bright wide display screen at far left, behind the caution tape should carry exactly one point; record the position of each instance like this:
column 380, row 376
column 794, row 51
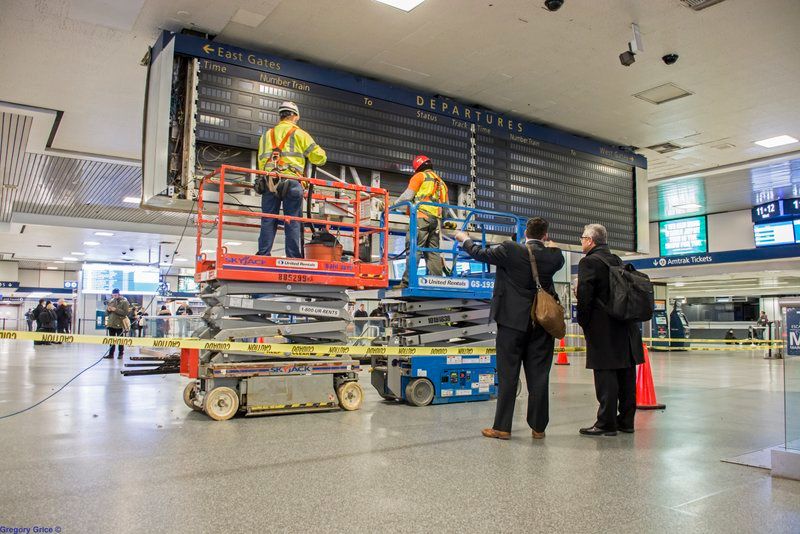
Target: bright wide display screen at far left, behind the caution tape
column 130, row 279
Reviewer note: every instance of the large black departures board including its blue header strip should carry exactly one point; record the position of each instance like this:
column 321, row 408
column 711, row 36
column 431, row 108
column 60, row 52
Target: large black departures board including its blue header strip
column 512, row 165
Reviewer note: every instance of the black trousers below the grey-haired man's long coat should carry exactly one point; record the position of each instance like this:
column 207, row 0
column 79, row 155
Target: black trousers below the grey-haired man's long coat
column 616, row 393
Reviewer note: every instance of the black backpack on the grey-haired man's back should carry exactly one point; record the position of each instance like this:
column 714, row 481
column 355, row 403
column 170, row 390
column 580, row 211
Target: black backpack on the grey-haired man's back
column 631, row 296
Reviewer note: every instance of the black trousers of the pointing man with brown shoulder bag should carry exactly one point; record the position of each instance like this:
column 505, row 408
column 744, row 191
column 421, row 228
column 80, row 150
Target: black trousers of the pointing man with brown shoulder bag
column 532, row 350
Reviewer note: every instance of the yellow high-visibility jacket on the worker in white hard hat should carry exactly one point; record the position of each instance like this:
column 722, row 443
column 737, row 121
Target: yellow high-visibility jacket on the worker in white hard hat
column 294, row 145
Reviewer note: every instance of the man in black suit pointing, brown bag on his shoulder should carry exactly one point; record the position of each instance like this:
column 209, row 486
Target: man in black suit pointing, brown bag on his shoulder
column 519, row 342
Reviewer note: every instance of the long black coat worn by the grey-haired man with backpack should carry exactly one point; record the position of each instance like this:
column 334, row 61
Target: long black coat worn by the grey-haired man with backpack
column 610, row 344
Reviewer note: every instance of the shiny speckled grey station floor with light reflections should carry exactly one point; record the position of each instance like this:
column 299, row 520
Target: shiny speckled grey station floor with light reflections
column 124, row 454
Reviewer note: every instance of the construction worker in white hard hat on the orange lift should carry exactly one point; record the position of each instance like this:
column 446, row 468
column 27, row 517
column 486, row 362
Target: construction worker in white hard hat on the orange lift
column 284, row 148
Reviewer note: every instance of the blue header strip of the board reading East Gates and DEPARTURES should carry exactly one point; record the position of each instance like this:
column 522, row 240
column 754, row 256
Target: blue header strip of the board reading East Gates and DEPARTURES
column 508, row 125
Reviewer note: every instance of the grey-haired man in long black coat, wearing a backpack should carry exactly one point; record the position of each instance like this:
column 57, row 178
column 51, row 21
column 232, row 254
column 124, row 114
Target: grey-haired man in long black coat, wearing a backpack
column 613, row 348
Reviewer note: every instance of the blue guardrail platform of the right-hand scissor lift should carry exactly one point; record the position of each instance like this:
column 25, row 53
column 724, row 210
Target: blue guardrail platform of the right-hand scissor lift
column 479, row 223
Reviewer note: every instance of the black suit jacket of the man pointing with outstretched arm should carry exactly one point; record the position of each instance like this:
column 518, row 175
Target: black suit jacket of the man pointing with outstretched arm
column 514, row 288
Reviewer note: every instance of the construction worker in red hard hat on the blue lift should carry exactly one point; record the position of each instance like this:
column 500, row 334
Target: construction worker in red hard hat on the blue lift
column 425, row 186
